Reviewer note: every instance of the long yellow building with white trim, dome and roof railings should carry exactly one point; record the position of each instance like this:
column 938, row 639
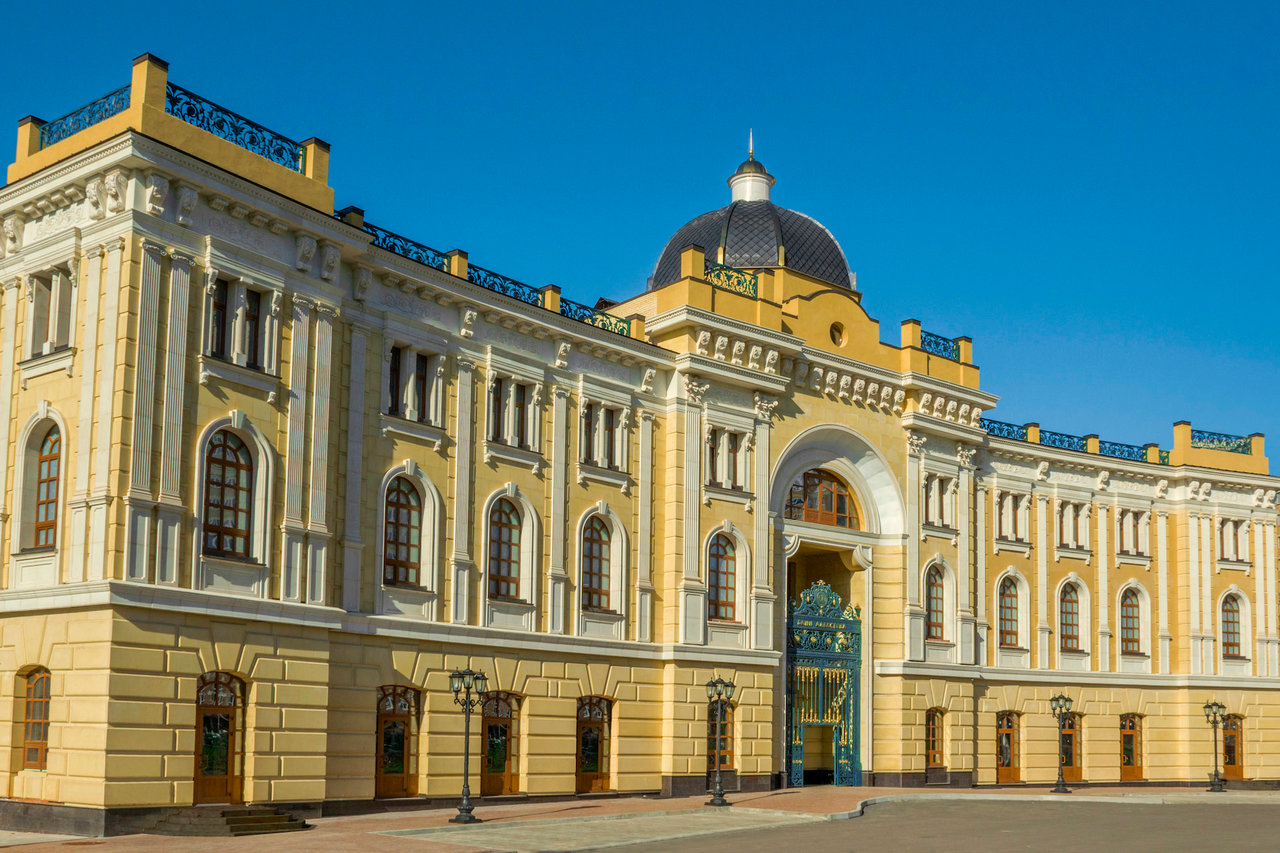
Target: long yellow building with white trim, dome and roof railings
column 273, row 473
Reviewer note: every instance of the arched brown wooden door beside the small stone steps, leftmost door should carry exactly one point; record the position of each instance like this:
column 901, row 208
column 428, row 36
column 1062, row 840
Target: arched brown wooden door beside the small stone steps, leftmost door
column 220, row 751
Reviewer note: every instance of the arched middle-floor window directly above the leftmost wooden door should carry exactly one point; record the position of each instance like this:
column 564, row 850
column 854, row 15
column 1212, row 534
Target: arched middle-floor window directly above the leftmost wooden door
column 228, row 496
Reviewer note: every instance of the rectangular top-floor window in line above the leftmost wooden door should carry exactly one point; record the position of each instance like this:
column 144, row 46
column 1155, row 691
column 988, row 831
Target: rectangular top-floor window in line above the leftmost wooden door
column 241, row 325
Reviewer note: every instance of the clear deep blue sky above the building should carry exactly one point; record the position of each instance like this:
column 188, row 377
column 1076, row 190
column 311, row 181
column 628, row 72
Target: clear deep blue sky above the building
column 1089, row 190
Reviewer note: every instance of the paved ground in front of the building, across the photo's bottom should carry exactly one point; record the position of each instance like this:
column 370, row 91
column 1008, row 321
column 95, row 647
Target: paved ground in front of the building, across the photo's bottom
column 813, row 820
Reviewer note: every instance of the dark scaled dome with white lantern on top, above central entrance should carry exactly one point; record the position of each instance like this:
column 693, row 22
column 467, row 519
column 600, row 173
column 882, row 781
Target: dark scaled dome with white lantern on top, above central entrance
column 753, row 232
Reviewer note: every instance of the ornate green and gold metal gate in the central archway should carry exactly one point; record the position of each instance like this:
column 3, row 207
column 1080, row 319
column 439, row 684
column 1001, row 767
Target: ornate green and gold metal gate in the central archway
column 825, row 655
